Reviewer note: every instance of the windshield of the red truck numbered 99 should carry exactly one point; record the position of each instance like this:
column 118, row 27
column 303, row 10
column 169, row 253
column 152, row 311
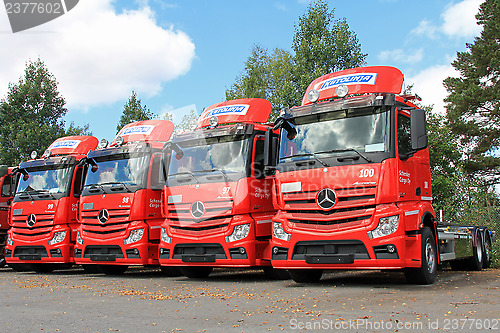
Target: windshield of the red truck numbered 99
column 49, row 182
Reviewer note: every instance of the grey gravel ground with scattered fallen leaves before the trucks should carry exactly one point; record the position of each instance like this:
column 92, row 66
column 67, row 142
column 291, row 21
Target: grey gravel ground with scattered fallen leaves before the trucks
column 142, row 300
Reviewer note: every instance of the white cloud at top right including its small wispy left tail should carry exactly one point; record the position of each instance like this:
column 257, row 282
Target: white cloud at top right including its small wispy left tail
column 458, row 20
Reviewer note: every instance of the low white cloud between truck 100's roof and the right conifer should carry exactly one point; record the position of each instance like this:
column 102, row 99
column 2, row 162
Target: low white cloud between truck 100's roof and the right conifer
column 428, row 84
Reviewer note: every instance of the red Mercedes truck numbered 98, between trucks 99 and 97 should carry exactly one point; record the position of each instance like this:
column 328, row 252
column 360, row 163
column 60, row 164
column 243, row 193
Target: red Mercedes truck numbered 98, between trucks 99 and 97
column 120, row 206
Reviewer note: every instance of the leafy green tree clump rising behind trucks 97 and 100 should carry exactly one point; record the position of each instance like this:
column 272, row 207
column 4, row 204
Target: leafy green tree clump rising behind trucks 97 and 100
column 321, row 45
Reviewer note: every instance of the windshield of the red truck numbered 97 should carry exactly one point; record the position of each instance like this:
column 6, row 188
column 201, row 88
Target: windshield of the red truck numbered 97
column 226, row 156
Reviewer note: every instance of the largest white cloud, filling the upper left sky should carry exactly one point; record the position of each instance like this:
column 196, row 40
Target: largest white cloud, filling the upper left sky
column 97, row 55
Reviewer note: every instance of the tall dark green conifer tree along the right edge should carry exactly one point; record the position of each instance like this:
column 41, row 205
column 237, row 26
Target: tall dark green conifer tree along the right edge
column 473, row 103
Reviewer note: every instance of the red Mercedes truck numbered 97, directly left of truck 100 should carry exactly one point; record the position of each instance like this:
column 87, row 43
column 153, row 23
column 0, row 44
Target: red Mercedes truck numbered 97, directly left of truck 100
column 218, row 201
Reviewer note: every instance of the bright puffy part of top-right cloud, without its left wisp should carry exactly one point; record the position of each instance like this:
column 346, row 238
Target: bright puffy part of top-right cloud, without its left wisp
column 459, row 19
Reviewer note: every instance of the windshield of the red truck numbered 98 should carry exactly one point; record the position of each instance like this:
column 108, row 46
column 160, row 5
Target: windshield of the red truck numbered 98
column 126, row 172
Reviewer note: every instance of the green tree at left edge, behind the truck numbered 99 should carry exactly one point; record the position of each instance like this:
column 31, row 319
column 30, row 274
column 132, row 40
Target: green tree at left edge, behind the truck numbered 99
column 32, row 115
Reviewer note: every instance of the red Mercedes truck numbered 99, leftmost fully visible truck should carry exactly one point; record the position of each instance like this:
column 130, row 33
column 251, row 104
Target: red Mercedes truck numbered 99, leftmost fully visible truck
column 44, row 210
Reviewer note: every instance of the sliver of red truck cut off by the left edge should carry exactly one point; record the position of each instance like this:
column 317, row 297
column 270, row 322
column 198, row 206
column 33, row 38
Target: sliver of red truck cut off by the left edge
column 7, row 188
